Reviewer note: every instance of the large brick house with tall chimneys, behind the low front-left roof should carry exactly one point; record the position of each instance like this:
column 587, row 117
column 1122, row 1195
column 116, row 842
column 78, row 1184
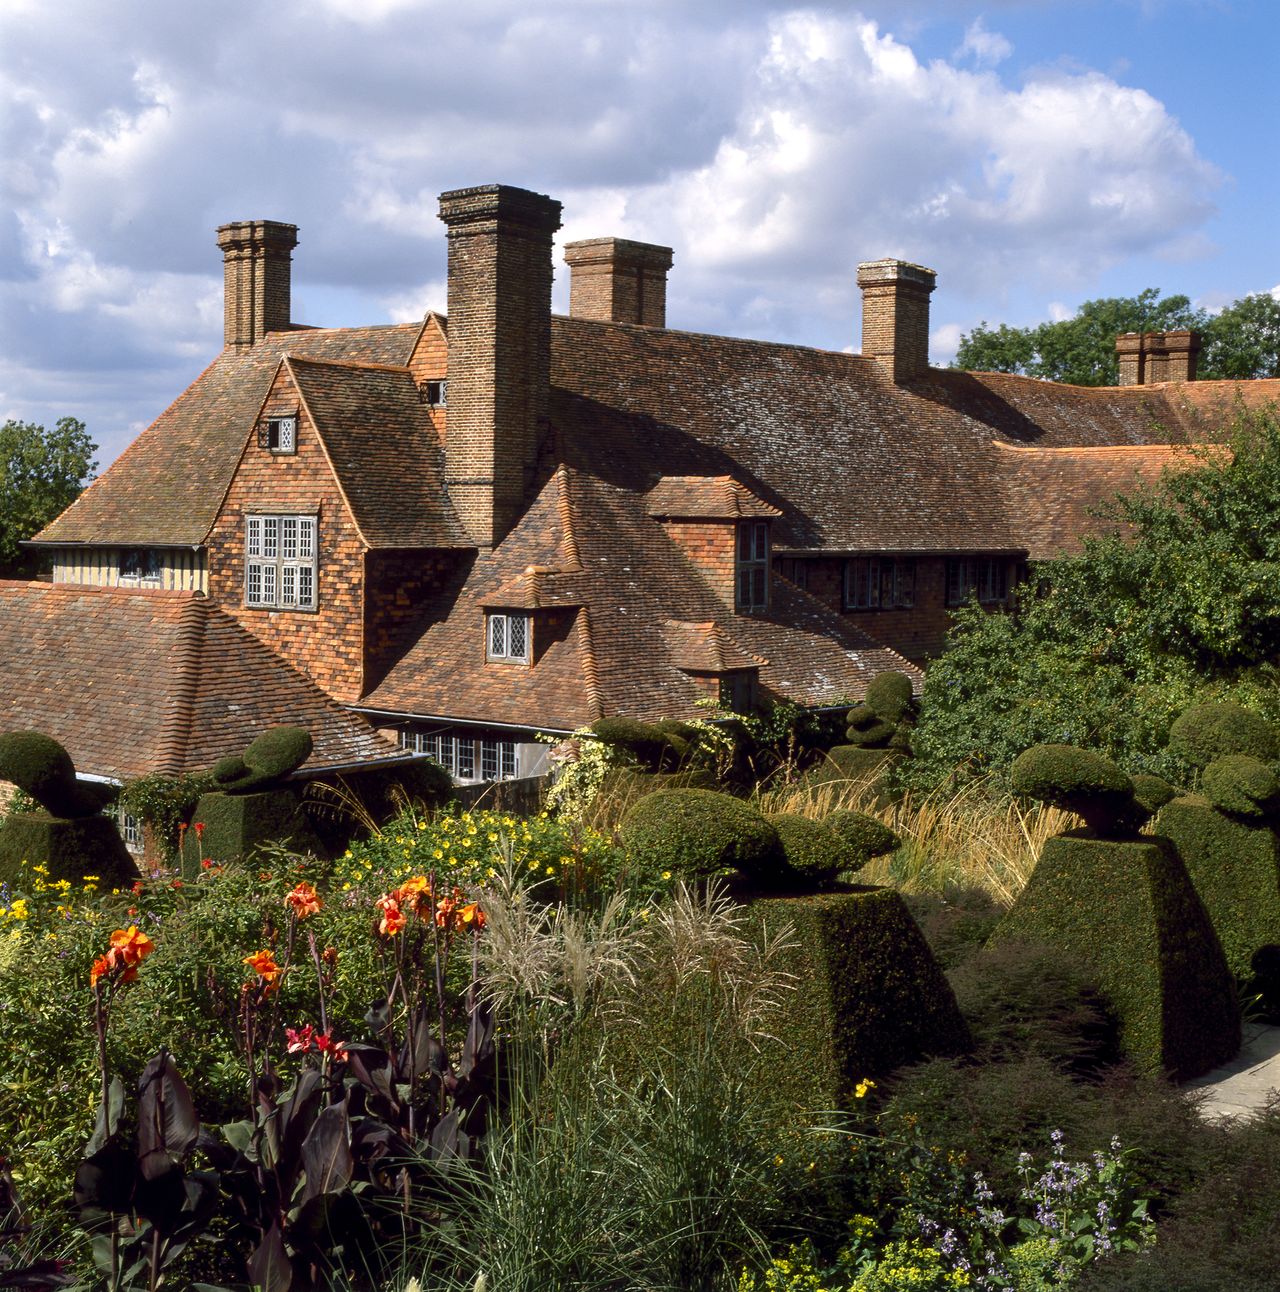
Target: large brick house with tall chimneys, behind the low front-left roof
column 501, row 523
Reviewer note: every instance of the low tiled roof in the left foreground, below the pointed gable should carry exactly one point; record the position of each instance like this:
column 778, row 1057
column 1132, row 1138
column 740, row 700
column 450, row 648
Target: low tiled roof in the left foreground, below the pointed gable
column 136, row 682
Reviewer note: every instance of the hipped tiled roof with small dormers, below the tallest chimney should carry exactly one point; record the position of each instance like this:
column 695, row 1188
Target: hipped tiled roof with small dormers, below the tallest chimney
column 635, row 581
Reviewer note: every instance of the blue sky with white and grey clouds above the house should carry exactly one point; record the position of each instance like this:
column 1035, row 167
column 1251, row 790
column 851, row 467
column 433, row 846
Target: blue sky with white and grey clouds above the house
column 1035, row 153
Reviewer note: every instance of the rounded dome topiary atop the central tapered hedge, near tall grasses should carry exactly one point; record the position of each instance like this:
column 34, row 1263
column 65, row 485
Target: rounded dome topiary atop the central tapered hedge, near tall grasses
column 699, row 833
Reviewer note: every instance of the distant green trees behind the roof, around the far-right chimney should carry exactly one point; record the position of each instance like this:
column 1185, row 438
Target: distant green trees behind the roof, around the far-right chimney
column 1241, row 342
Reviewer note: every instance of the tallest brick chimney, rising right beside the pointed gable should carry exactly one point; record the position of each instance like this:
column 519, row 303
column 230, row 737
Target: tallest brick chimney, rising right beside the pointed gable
column 501, row 351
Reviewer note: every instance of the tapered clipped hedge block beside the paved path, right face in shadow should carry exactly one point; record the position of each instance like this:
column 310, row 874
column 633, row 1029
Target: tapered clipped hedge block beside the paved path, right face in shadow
column 1127, row 913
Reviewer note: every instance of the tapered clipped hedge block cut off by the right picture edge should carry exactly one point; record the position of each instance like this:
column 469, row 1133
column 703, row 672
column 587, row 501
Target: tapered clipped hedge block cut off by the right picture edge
column 1235, row 868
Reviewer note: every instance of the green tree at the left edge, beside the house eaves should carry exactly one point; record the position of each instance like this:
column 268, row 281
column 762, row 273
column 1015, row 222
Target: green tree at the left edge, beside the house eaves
column 42, row 474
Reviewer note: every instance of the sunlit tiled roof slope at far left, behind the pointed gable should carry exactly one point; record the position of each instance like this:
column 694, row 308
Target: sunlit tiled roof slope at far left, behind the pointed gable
column 169, row 485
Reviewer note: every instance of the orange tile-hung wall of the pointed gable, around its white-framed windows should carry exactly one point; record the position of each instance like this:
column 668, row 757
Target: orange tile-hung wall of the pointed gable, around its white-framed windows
column 327, row 643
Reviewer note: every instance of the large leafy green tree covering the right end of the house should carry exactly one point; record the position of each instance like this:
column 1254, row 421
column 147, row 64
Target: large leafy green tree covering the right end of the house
column 1106, row 649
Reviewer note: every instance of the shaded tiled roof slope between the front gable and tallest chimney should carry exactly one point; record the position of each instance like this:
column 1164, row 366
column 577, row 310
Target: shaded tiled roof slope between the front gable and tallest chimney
column 384, row 449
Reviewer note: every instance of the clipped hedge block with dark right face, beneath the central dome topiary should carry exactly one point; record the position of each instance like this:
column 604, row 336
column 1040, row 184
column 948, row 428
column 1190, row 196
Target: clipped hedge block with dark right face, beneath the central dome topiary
column 870, row 995
